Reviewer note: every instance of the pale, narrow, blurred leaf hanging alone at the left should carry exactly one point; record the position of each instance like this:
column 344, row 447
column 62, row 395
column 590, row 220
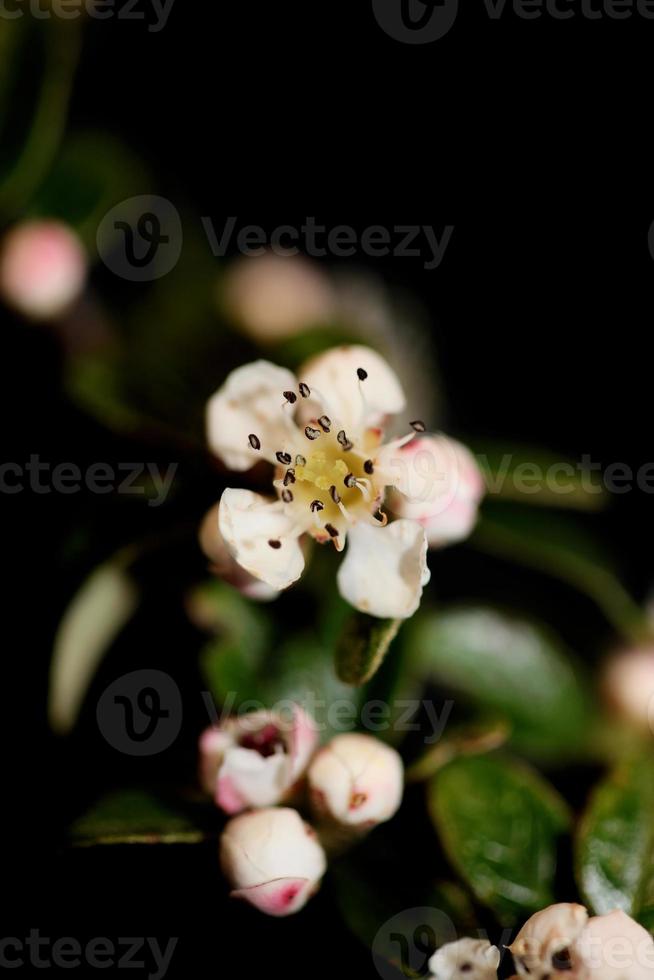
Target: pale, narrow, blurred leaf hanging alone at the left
column 96, row 615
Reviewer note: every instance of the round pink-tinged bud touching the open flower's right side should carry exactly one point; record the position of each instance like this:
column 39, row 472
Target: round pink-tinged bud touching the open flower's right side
column 441, row 488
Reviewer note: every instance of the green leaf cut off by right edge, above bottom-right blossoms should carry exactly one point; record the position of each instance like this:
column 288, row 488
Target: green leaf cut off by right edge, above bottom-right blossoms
column 615, row 843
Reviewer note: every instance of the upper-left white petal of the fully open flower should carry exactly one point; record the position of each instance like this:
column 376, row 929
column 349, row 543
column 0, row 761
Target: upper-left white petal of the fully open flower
column 249, row 403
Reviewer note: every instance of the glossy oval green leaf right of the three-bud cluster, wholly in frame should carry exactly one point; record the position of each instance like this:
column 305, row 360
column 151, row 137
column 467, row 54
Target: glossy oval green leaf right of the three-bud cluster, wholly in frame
column 499, row 823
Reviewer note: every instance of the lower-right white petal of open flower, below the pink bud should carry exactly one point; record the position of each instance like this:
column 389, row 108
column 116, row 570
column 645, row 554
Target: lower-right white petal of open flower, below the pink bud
column 385, row 569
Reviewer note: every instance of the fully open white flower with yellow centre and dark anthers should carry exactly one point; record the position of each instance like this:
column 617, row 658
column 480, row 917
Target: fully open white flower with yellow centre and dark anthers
column 323, row 433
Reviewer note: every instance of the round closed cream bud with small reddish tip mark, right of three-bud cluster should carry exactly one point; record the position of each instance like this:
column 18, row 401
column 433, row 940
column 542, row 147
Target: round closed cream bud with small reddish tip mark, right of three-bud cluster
column 356, row 781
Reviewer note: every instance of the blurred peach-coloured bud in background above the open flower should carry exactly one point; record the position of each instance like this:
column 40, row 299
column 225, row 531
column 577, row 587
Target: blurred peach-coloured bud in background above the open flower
column 274, row 296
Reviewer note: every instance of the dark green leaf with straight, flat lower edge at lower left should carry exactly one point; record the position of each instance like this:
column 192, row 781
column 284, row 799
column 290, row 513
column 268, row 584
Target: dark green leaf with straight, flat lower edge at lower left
column 139, row 817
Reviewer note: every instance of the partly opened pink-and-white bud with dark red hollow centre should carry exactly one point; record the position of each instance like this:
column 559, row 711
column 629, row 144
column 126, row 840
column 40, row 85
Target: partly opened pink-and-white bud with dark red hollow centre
column 256, row 759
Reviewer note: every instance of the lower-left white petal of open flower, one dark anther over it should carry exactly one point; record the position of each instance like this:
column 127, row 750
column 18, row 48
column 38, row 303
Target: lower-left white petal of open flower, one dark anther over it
column 248, row 522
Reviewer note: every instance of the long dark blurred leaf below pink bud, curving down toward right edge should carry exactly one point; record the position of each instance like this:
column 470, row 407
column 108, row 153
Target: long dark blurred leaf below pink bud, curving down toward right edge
column 557, row 545
